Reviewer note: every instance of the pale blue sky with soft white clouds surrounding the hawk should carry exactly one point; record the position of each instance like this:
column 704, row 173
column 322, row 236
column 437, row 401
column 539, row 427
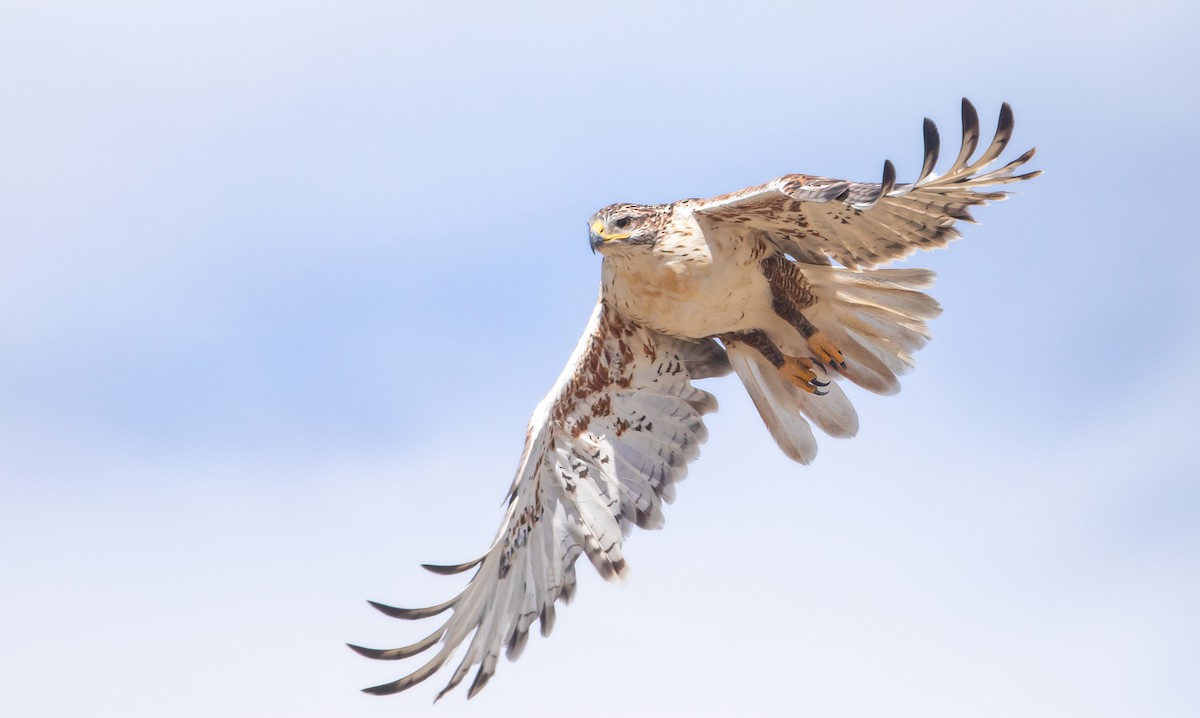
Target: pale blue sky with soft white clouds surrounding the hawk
column 281, row 283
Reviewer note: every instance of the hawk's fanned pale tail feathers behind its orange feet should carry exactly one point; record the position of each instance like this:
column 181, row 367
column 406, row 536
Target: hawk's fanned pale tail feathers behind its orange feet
column 878, row 320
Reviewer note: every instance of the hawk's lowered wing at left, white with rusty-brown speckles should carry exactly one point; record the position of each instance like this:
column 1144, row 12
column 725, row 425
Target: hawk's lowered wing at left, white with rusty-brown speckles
column 602, row 454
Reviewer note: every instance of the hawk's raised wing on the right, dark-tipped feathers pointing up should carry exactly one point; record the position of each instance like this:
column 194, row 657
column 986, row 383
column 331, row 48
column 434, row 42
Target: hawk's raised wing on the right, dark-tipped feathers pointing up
column 862, row 225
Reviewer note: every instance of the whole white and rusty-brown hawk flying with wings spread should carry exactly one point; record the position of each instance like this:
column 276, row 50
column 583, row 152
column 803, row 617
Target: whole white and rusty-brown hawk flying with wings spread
column 776, row 283
